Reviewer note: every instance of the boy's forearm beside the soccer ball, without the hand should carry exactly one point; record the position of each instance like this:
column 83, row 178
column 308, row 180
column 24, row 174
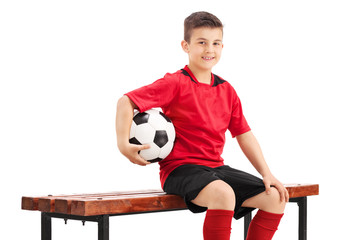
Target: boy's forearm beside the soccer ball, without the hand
column 124, row 115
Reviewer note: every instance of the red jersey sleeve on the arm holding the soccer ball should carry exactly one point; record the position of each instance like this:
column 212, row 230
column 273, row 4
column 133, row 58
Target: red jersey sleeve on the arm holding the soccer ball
column 158, row 94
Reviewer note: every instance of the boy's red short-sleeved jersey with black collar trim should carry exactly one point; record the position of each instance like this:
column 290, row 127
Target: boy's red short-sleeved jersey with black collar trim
column 201, row 114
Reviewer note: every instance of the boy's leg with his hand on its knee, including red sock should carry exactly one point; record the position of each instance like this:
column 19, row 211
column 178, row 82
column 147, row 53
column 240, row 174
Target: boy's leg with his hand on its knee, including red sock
column 267, row 219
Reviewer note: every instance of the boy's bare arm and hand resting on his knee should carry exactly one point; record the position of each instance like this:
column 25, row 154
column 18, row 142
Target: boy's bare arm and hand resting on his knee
column 251, row 148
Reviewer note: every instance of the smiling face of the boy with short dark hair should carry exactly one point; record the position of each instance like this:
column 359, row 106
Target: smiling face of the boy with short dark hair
column 204, row 48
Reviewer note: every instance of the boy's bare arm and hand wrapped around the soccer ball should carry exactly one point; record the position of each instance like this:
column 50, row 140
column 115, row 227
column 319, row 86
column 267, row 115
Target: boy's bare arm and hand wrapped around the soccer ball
column 124, row 116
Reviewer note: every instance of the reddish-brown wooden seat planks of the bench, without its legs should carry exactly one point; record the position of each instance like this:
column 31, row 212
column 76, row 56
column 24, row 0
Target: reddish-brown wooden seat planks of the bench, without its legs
column 127, row 202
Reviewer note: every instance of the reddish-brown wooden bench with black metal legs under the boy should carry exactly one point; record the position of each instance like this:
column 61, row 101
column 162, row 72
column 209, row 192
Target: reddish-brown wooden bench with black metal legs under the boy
column 100, row 206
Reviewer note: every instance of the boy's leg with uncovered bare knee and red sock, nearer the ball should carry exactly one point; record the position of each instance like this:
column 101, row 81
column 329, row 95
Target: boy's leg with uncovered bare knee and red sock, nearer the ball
column 219, row 198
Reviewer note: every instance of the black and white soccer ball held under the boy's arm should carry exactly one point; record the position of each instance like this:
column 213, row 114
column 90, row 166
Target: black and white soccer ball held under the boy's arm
column 154, row 128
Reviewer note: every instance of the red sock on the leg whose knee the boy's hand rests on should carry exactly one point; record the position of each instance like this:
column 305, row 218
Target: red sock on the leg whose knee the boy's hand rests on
column 263, row 226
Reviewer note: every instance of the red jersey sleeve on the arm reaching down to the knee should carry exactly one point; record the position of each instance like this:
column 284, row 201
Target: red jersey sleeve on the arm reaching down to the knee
column 238, row 124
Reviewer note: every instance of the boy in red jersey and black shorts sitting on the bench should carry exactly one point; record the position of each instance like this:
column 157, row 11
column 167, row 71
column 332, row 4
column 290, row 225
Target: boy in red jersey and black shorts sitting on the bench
column 202, row 106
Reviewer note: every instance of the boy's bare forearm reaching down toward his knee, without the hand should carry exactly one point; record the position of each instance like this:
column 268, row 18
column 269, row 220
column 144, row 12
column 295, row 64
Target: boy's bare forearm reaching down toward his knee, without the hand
column 252, row 151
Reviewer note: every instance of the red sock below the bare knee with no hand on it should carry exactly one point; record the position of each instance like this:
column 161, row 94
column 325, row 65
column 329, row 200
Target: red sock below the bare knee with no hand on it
column 217, row 224
